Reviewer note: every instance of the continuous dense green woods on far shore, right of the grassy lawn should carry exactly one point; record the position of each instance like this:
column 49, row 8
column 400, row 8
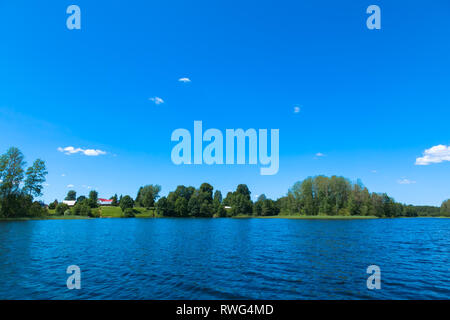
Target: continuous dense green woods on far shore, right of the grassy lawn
column 314, row 196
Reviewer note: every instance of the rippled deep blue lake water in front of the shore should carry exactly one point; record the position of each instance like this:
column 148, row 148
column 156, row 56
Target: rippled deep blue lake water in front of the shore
column 225, row 258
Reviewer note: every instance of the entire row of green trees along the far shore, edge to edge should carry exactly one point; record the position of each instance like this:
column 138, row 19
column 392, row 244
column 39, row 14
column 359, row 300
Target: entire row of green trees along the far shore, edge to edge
column 319, row 195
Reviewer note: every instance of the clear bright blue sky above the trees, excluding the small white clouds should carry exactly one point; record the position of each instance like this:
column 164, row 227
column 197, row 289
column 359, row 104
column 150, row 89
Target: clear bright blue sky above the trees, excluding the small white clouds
column 371, row 101
